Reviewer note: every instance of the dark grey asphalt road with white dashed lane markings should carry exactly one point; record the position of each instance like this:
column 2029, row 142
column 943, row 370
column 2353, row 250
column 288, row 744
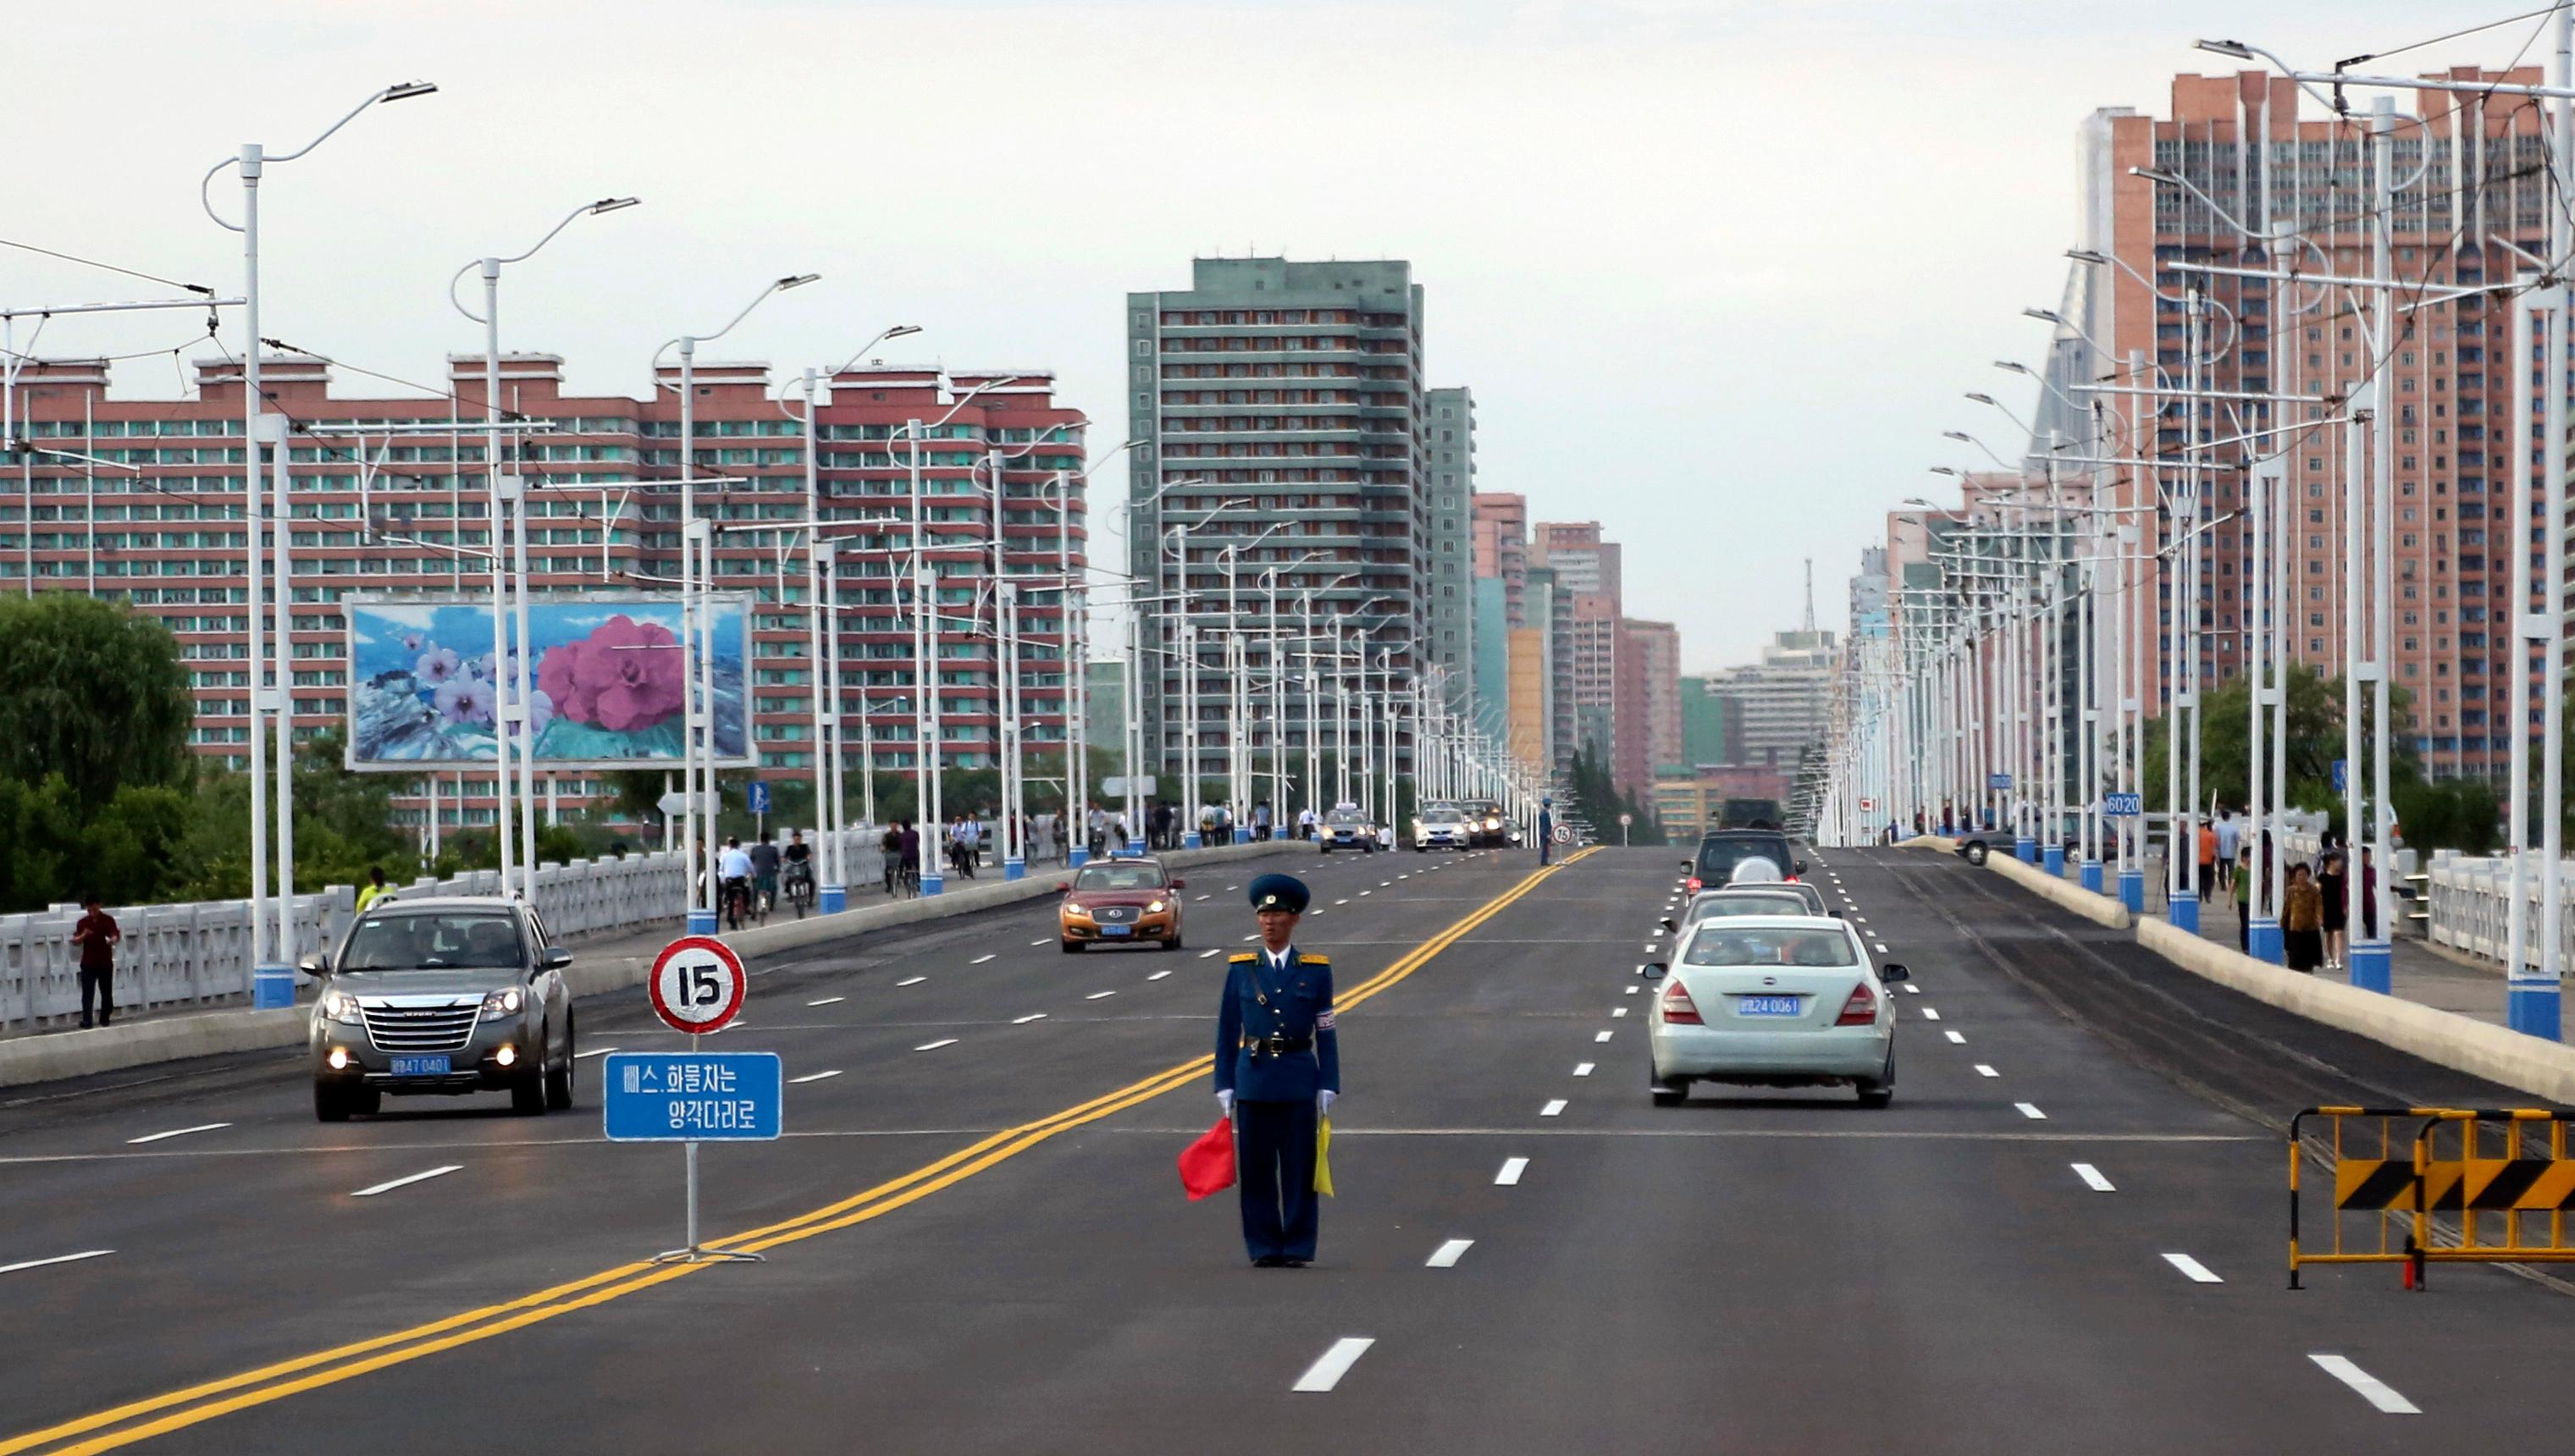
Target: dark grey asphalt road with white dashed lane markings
column 977, row 1241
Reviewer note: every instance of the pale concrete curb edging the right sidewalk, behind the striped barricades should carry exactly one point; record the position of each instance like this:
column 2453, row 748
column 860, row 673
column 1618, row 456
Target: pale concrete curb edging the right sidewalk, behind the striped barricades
column 2442, row 1038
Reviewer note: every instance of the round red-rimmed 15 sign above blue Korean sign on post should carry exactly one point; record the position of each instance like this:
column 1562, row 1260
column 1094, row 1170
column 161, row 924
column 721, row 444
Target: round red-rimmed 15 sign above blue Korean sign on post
column 694, row 1097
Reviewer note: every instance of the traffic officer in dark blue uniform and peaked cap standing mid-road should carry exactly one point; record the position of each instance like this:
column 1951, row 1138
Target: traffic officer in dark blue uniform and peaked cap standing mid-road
column 1278, row 1066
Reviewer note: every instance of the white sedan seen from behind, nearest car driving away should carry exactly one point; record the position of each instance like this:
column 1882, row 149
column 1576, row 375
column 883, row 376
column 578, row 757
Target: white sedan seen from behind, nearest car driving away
column 1781, row 1002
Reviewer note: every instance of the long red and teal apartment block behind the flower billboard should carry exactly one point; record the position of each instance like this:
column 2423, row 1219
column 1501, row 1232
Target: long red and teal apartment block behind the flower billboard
column 140, row 500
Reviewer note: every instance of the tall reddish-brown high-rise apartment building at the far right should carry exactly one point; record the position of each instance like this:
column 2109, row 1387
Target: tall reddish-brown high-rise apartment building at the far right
column 2471, row 207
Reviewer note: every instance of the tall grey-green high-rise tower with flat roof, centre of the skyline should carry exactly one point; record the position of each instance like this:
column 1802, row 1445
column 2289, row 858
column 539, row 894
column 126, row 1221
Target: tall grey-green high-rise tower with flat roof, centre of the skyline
column 1284, row 441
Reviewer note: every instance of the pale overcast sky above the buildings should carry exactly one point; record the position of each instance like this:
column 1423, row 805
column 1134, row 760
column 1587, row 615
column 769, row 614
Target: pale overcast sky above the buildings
column 1716, row 271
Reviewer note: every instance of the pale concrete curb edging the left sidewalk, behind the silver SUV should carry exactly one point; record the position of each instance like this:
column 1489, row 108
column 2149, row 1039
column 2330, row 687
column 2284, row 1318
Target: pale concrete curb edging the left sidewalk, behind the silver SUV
column 55, row 1056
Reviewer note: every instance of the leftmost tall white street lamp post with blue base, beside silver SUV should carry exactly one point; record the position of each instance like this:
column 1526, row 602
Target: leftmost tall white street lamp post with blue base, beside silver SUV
column 272, row 971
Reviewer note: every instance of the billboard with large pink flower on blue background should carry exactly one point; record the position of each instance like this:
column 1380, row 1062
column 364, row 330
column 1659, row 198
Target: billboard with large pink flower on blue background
column 606, row 680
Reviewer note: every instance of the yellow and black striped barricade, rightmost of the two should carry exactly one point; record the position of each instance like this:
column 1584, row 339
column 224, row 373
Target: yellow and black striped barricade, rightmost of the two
column 2491, row 1187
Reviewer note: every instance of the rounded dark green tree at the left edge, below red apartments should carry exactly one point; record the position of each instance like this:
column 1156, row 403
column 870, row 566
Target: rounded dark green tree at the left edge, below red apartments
column 94, row 693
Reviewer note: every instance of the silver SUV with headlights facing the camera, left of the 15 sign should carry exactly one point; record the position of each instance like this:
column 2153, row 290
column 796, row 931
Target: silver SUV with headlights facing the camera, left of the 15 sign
column 442, row 997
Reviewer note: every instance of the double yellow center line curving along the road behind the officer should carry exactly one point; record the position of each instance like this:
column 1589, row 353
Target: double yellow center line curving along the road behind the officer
column 200, row 1403
